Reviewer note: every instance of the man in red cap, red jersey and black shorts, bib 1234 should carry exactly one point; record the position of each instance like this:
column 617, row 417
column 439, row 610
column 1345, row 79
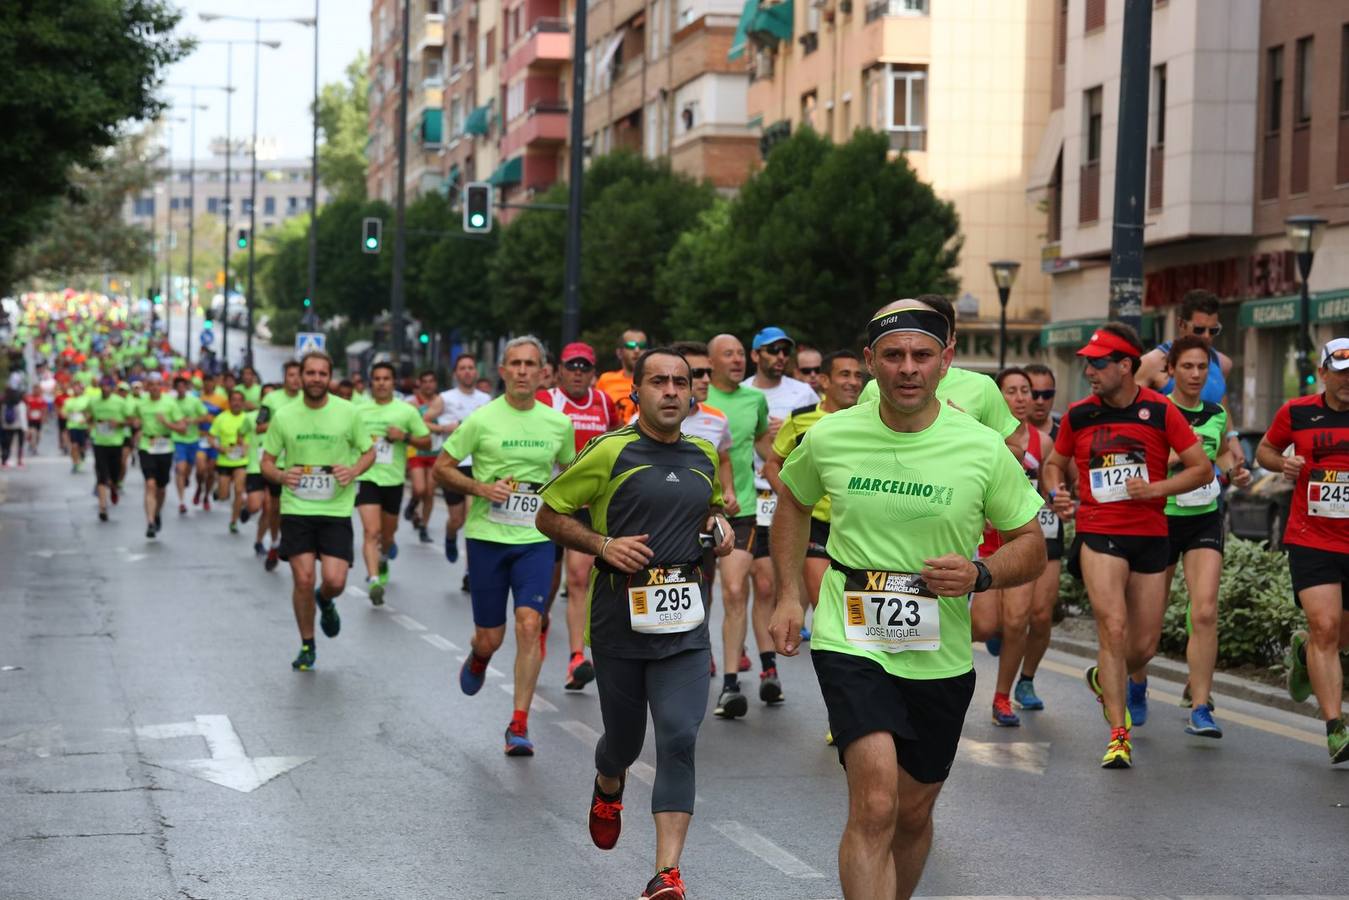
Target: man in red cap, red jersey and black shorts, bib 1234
column 1122, row 438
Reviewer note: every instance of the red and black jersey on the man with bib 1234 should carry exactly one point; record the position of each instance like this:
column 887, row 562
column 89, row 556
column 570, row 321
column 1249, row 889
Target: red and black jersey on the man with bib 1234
column 1114, row 445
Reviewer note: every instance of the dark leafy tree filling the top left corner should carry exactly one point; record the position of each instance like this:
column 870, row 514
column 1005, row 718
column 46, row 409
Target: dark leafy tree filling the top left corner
column 75, row 72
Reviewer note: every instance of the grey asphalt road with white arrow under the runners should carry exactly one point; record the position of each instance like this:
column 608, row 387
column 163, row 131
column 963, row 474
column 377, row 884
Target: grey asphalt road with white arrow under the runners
column 146, row 701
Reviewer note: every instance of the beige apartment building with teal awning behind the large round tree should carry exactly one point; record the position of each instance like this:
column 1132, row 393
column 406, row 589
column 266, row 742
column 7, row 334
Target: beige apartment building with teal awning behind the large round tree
column 963, row 90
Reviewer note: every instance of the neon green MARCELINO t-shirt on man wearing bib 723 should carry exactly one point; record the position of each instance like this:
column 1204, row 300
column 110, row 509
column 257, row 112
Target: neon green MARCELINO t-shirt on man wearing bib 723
column 896, row 501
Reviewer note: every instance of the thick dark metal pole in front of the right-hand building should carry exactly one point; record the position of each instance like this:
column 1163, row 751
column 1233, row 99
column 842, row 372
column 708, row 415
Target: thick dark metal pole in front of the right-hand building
column 1131, row 165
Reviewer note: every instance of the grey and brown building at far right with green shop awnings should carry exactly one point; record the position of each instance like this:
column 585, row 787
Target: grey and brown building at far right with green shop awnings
column 1244, row 130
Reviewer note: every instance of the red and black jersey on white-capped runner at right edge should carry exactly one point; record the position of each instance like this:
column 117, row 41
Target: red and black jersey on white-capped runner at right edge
column 1319, row 516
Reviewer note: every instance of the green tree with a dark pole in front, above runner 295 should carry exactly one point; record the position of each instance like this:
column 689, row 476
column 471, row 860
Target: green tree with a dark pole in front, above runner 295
column 633, row 213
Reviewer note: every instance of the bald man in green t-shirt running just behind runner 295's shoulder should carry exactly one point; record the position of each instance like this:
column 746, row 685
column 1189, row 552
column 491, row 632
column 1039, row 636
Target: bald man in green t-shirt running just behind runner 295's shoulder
column 747, row 416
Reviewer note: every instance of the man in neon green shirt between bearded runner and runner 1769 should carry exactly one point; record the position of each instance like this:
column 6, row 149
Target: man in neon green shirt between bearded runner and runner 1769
column 393, row 426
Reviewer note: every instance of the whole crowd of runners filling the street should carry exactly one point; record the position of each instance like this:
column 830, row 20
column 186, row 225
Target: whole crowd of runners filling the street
column 880, row 505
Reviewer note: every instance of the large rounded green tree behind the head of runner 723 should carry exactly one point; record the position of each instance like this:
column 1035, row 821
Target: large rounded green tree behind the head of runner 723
column 817, row 241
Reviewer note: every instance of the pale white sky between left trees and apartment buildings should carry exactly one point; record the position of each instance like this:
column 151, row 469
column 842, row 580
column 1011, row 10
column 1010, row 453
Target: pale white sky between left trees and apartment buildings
column 285, row 75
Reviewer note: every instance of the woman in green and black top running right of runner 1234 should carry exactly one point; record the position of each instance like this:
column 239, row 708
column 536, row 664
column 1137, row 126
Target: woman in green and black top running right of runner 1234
column 1196, row 532
